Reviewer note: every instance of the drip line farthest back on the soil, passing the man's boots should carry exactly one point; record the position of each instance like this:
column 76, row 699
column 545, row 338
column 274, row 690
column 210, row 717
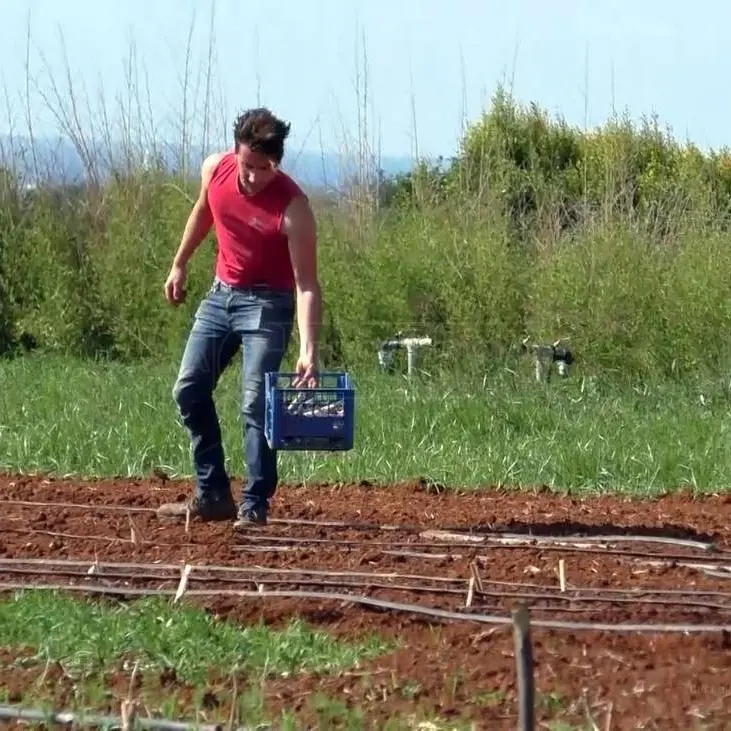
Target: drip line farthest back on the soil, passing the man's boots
column 457, row 532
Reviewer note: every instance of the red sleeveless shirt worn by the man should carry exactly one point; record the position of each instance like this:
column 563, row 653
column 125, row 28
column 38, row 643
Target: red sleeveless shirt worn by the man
column 252, row 250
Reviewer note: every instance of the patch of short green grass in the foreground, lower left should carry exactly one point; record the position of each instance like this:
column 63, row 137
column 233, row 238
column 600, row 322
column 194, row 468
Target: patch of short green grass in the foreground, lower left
column 88, row 636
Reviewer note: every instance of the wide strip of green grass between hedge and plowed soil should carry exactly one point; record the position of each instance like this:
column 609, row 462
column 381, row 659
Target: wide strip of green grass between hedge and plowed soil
column 67, row 416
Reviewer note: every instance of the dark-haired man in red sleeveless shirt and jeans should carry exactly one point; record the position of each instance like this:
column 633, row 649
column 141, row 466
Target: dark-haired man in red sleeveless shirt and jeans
column 266, row 270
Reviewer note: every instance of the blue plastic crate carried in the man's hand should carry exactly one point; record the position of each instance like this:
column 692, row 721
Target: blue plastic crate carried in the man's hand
column 318, row 418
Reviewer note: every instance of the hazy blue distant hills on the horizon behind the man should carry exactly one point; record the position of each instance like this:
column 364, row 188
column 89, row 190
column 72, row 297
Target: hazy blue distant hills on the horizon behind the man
column 59, row 160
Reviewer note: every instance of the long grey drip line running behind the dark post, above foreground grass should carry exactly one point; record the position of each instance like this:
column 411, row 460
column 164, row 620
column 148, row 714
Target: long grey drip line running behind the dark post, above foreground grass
column 494, row 619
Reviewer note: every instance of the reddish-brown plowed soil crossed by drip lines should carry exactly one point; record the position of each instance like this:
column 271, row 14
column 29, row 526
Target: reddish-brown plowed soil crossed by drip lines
column 630, row 601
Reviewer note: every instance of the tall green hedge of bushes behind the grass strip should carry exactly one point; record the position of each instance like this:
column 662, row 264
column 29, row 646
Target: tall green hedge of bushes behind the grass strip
column 616, row 238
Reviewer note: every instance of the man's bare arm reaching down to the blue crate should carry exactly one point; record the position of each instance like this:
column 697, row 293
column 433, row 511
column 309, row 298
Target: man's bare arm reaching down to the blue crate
column 301, row 229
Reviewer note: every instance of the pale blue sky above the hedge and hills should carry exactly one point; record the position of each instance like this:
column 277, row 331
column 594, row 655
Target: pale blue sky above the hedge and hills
column 429, row 65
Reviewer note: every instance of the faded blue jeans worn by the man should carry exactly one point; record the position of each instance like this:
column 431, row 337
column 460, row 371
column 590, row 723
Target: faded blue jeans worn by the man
column 261, row 321
